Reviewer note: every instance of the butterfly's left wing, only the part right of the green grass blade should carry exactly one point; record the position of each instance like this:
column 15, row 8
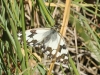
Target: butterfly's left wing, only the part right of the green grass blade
column 37, row 34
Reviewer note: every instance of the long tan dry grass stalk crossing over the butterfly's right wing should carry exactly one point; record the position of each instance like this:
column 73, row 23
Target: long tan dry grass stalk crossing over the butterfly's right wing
column 62, row 31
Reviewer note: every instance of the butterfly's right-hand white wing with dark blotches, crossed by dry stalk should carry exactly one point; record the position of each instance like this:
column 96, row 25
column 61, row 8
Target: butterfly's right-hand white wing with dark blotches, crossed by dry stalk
column 53, row 42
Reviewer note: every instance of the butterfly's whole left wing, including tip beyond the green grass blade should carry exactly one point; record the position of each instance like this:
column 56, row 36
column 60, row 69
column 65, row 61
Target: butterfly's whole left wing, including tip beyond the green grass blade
column 35, row 34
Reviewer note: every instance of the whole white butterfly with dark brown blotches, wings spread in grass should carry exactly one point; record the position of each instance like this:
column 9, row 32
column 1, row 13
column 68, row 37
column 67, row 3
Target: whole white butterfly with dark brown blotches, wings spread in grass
column 49, row 40
